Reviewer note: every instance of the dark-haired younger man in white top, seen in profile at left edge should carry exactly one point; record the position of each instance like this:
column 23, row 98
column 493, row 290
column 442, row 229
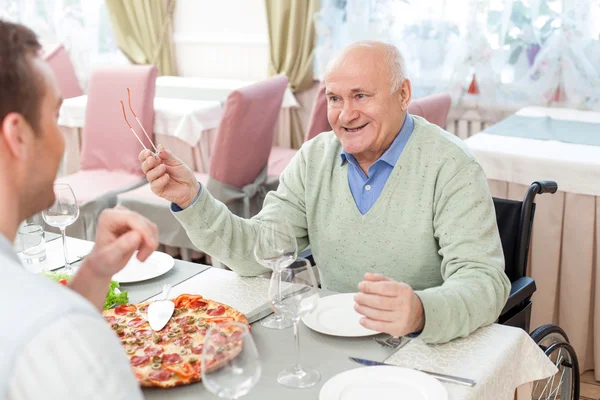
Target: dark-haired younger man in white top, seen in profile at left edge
column 53, row 341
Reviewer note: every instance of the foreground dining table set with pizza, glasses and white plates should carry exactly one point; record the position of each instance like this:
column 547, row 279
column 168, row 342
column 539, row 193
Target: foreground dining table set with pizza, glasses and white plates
column 503, row 361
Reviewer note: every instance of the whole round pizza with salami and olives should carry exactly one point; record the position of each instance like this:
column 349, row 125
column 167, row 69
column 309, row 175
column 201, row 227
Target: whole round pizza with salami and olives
column 173, row 356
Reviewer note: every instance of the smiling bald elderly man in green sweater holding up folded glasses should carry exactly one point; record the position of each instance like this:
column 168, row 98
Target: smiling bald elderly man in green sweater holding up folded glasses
column 389, row 204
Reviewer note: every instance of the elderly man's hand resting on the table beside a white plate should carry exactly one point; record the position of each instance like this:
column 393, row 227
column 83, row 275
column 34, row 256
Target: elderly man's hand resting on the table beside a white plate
column 388, row 306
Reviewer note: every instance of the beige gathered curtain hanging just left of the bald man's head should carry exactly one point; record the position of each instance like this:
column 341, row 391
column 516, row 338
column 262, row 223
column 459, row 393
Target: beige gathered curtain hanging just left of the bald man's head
column 292, row 43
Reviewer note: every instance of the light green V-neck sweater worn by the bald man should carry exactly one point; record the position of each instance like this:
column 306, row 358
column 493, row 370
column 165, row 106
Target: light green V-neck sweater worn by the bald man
column 433, row 227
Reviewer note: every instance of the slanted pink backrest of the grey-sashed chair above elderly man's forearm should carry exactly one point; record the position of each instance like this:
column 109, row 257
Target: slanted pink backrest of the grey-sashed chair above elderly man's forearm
column 246, row 132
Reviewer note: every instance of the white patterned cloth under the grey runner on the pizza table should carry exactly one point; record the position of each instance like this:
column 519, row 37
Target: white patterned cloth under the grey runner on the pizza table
column 499, row 358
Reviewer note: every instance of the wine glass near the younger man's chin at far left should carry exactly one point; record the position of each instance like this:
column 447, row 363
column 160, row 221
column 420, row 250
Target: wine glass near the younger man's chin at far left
column 63, row 213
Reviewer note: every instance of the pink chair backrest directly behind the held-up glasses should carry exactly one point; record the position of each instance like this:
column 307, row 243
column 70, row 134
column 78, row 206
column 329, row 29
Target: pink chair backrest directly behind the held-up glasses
column 108, row 143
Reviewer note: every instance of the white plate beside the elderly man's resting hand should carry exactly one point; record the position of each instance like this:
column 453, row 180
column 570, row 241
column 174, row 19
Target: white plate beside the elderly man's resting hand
column 335, row 316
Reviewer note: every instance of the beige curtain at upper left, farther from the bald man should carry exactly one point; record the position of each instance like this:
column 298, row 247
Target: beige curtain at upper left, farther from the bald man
column 143, row 31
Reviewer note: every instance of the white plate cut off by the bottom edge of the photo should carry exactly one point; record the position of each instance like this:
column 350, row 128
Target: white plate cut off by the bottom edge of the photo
column 382, row 383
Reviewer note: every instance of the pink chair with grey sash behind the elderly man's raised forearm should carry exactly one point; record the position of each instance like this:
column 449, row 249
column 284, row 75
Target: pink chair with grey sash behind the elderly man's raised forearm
column 238, row 163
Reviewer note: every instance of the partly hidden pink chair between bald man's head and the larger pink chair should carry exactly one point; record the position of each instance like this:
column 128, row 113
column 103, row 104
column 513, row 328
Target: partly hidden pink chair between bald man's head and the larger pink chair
column 280, row 156
